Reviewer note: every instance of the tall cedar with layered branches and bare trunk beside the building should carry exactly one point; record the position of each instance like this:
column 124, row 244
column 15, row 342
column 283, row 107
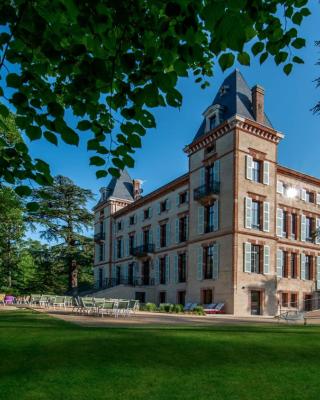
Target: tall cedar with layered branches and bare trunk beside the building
column 63, row 215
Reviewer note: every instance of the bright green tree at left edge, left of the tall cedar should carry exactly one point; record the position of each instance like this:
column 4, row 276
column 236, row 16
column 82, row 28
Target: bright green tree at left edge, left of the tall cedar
column 12, row 228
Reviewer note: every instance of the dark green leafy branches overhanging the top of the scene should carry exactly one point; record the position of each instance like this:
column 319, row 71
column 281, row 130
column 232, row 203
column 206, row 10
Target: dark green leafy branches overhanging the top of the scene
column 109, row 62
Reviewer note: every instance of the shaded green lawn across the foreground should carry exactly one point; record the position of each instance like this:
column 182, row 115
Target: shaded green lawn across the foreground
column 45, row 358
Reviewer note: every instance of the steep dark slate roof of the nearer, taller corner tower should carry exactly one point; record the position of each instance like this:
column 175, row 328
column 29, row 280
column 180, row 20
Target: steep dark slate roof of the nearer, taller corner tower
column 235, row 96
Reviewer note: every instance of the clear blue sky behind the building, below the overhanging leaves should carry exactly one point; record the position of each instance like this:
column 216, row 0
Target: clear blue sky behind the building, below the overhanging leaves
column 288, row 101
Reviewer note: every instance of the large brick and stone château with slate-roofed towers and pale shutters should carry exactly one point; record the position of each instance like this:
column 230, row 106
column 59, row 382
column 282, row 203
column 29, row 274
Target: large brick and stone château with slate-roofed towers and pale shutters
column 237, row 228
